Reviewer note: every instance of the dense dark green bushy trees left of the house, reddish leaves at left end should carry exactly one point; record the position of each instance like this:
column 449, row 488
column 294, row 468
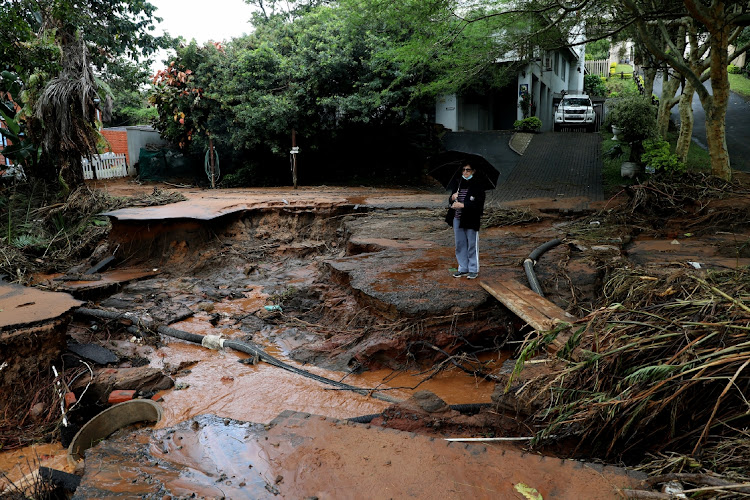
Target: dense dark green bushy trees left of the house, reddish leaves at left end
column 327, row 74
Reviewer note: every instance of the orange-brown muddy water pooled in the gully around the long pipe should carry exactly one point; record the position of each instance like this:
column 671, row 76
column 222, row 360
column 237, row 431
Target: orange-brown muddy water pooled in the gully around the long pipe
column 217, row 383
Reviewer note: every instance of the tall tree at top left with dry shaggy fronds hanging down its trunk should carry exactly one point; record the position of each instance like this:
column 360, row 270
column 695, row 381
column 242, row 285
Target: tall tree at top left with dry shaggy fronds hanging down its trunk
column 56, row 48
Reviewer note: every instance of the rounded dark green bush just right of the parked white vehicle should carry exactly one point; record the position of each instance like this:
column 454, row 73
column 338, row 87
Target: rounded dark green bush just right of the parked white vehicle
column 634, row 115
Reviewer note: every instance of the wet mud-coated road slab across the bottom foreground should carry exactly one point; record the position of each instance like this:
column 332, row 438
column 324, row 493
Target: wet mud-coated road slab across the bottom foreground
column 299, row 455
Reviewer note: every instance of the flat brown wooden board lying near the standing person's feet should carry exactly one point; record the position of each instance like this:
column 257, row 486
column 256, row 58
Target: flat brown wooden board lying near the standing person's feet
column 538, row 312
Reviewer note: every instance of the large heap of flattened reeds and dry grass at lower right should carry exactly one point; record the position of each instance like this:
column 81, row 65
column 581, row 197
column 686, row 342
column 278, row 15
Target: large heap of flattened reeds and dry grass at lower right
column 663, row 368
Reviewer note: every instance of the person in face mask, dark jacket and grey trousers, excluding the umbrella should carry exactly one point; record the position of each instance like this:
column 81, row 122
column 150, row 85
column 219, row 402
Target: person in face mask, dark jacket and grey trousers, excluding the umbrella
column 466, row 209
